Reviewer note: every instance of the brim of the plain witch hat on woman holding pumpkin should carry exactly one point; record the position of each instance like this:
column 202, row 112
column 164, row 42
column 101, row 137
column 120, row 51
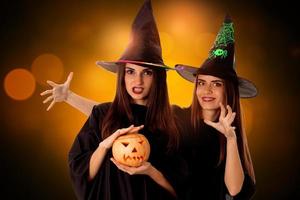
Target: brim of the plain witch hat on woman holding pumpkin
column 113, row 66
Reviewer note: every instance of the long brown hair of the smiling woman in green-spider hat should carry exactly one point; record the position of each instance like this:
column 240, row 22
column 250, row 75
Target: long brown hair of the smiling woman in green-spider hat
column 233, row 100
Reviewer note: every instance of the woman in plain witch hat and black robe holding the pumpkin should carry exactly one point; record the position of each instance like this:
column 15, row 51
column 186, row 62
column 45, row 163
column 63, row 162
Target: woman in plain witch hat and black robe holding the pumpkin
column 141, row 99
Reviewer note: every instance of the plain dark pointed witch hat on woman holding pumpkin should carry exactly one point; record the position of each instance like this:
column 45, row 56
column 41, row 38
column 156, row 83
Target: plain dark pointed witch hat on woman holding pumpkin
column 144, row 47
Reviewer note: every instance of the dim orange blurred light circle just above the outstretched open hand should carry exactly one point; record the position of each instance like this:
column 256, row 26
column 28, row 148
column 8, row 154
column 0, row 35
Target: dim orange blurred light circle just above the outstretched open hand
column 47, row 67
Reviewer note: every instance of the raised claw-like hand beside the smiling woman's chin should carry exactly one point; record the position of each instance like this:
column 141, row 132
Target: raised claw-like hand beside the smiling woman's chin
column 224, row 123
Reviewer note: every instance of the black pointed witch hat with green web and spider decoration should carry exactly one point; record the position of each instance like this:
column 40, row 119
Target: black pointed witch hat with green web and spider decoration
column 221, row 62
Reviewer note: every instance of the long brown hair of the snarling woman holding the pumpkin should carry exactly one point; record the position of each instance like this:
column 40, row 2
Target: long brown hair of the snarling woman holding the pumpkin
column 159, row 116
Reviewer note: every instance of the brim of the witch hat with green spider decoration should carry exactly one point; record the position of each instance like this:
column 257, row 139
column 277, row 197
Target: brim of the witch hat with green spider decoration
column 247, row 89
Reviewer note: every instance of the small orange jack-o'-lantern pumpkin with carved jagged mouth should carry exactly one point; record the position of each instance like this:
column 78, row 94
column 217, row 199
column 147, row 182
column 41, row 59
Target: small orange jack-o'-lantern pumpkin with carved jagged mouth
column 131, row 149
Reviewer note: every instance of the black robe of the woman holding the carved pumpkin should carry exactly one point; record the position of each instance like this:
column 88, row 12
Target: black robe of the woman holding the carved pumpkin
column 110, row 183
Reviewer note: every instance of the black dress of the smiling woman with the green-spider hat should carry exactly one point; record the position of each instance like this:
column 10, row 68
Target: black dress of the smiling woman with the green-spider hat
column 201, row 151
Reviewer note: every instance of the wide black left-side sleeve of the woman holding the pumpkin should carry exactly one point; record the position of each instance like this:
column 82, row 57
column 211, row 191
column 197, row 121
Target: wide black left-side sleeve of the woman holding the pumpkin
column 81, row 151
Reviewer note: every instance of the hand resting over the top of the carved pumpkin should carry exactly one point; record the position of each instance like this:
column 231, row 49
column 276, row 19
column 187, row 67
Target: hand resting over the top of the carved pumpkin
column 108, row 142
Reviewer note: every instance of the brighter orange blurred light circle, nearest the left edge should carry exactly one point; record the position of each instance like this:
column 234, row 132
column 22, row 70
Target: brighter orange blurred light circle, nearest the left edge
column 19, row 84
